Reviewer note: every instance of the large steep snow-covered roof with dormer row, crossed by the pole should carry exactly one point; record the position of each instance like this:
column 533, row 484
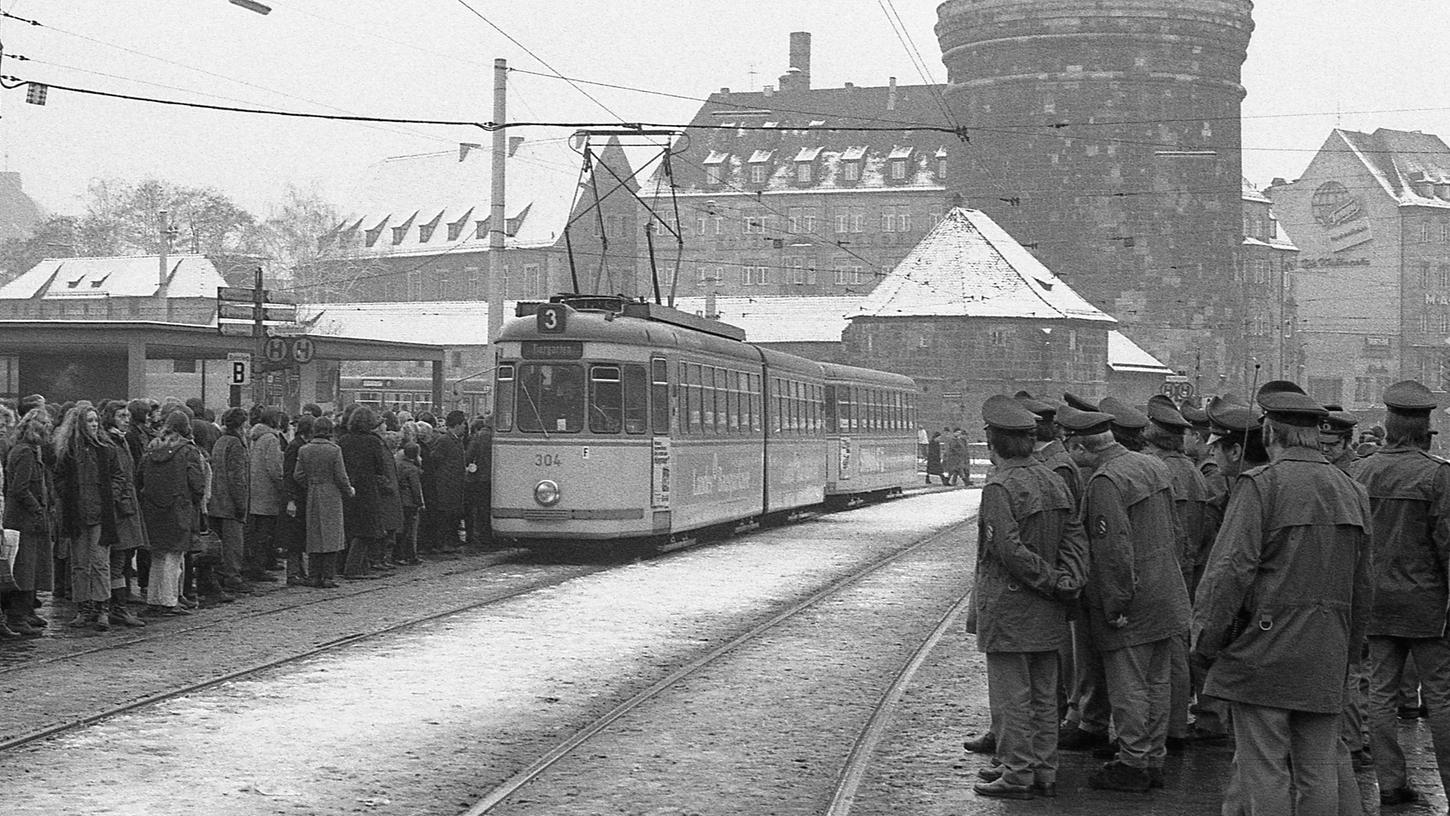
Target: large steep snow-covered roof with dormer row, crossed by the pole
column 431, row 204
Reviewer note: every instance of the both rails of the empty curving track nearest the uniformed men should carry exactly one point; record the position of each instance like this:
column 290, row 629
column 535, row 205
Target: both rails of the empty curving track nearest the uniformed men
column 853, row 772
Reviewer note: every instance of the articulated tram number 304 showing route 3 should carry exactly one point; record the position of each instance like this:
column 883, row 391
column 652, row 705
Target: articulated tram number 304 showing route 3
column 618, row 420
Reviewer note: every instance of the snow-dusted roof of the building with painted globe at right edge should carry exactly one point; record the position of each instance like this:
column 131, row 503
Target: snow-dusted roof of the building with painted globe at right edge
column 1412, row 167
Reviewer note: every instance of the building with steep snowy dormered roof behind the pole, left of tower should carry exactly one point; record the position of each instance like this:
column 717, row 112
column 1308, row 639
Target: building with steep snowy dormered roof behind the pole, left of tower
column 420, row 228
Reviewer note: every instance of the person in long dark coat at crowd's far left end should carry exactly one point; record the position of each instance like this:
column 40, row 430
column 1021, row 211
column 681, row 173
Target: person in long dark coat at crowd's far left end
column 28, row 511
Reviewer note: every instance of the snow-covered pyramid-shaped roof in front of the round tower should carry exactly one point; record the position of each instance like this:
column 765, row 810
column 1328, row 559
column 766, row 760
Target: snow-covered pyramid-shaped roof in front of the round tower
column 971, row 267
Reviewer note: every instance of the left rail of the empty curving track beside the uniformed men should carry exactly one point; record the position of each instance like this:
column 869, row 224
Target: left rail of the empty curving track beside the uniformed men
column 565, row 749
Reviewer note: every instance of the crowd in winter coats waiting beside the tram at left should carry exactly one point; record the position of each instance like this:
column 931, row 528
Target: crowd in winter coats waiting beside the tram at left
column 162, row 508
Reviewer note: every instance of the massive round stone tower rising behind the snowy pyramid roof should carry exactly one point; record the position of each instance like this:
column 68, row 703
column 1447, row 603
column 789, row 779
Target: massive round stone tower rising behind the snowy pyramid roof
column 1106, row 134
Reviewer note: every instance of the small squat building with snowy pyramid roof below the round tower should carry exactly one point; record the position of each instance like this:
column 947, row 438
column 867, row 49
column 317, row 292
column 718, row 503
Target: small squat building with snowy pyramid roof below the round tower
column 971, row 314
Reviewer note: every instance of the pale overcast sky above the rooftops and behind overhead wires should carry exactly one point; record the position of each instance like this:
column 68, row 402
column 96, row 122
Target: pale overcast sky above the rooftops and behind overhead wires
column 1313, row 66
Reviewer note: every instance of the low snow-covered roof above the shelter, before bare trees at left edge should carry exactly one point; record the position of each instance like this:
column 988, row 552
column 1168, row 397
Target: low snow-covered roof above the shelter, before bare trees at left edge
column 131, row 276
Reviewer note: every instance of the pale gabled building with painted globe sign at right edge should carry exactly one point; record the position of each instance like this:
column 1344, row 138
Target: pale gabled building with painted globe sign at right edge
column 1371, row 217
